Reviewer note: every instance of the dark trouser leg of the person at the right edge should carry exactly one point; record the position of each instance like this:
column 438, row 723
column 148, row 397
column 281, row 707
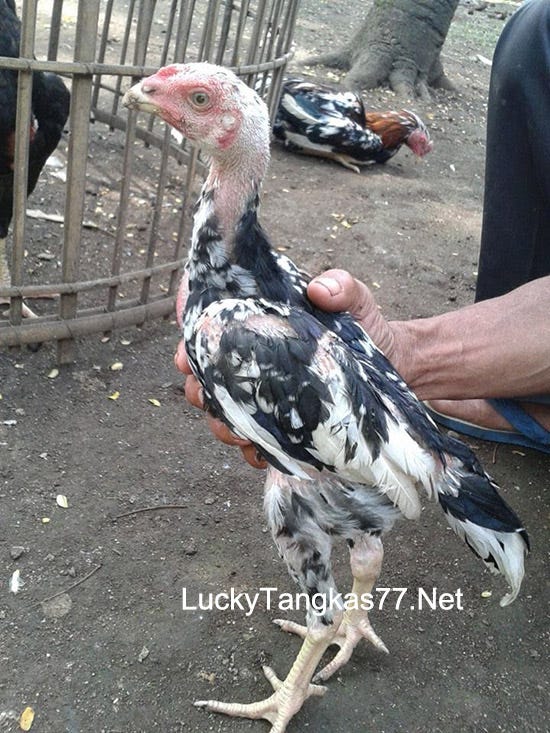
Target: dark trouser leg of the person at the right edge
column 515, row 242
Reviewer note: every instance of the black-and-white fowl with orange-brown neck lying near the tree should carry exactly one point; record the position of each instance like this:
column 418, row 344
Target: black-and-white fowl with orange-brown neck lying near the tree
column 317, row 120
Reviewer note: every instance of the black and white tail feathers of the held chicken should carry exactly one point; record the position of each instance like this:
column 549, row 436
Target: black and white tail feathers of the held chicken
column 478, row 514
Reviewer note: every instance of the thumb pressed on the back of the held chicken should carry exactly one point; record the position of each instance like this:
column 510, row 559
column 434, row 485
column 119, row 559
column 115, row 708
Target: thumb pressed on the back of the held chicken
column 338, row 290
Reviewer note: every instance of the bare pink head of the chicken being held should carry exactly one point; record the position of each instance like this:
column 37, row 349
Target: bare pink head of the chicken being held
column 208, row 104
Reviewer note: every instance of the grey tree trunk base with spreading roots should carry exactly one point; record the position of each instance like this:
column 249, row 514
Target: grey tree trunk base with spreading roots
column 399, row 43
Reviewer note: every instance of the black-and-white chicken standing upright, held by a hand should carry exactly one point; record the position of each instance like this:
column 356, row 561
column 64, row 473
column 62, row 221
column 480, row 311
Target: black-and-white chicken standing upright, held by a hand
column 348, row 444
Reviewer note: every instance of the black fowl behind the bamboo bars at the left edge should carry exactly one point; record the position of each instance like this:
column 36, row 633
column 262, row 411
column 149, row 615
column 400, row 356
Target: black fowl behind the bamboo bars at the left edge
column 50, row 109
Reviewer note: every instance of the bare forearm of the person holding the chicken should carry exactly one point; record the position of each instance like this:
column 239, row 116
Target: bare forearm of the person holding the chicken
column 498, row 347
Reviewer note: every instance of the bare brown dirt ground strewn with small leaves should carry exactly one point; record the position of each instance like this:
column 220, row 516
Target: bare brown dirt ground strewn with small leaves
column 115, row 652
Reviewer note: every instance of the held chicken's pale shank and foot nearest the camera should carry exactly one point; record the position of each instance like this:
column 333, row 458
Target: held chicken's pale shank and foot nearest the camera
column 291, row 692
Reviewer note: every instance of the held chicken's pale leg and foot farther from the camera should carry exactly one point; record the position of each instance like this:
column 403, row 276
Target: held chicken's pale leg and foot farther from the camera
column 366, row 554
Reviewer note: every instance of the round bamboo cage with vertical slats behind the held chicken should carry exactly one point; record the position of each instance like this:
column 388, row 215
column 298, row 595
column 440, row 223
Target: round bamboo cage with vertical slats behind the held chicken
column 110, row 235
